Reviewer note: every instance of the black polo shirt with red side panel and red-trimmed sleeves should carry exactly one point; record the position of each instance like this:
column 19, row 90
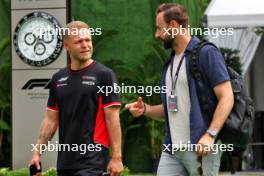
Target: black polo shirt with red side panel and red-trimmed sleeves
column 76, row 97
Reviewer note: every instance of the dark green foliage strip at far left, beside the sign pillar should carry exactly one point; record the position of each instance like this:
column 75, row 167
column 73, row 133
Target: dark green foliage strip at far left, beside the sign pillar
column 5, row 84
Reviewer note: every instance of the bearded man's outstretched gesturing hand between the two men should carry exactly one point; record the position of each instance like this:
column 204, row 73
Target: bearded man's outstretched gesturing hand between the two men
column 136, row 108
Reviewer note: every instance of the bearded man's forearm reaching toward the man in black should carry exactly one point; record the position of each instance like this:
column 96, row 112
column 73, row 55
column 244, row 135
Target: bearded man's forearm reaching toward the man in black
column 155, row 112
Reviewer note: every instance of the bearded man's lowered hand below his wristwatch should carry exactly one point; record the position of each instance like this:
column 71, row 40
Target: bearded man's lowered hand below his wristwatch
column 204, row 144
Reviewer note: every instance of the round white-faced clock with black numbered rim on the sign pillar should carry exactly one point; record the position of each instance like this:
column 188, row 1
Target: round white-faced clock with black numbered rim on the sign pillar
column 37, row 39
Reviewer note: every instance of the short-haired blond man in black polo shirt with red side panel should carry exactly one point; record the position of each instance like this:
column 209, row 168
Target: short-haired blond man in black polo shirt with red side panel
column 86, row 117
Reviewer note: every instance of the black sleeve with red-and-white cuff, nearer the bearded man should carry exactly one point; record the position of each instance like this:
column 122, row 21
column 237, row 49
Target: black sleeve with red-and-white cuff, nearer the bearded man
column 109, row 83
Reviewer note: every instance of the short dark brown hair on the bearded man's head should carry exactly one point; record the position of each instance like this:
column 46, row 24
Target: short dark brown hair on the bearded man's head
column 174, row 11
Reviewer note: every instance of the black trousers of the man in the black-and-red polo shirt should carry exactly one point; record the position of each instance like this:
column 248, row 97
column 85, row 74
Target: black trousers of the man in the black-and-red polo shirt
column 80, row 172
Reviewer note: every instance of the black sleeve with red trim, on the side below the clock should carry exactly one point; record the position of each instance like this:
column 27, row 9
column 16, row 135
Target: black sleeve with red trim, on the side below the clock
column 52, row 102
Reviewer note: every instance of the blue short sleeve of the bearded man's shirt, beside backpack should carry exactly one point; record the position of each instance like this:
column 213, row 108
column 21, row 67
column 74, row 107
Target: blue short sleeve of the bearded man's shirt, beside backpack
column 213, row 66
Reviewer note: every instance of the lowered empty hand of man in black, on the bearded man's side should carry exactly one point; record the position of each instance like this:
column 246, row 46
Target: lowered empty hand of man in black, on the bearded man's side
column 115, row 166
